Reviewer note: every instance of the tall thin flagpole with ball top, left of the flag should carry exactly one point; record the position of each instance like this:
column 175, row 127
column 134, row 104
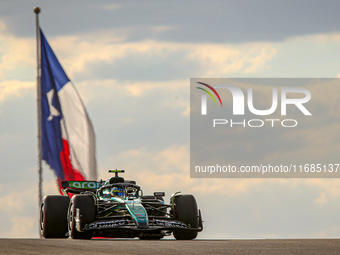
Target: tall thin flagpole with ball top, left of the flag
column 37, row 11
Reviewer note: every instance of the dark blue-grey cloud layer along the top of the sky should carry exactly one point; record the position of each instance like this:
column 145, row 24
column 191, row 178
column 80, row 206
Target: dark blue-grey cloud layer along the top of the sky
column 214, row 21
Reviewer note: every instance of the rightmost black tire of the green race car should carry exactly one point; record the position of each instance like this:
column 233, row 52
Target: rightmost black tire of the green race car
column 187, row 212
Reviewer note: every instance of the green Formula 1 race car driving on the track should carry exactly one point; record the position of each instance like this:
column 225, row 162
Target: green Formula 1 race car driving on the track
column 117, row 208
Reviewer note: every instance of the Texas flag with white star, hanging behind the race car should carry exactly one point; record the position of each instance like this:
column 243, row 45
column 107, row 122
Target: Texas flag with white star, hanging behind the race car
column 68, row 139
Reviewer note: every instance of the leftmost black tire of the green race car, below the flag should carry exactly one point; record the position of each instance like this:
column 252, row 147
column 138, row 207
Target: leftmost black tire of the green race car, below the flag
column 53, row 216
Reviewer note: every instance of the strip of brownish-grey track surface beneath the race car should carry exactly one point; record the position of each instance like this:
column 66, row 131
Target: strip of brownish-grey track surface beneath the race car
column 124, row 246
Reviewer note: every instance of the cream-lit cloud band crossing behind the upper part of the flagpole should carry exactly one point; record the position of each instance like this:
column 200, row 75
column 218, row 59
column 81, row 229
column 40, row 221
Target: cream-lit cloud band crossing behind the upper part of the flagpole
column 107, row 55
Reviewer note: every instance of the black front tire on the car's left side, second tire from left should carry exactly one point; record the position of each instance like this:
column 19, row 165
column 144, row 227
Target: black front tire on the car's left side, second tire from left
column 87, row 210
